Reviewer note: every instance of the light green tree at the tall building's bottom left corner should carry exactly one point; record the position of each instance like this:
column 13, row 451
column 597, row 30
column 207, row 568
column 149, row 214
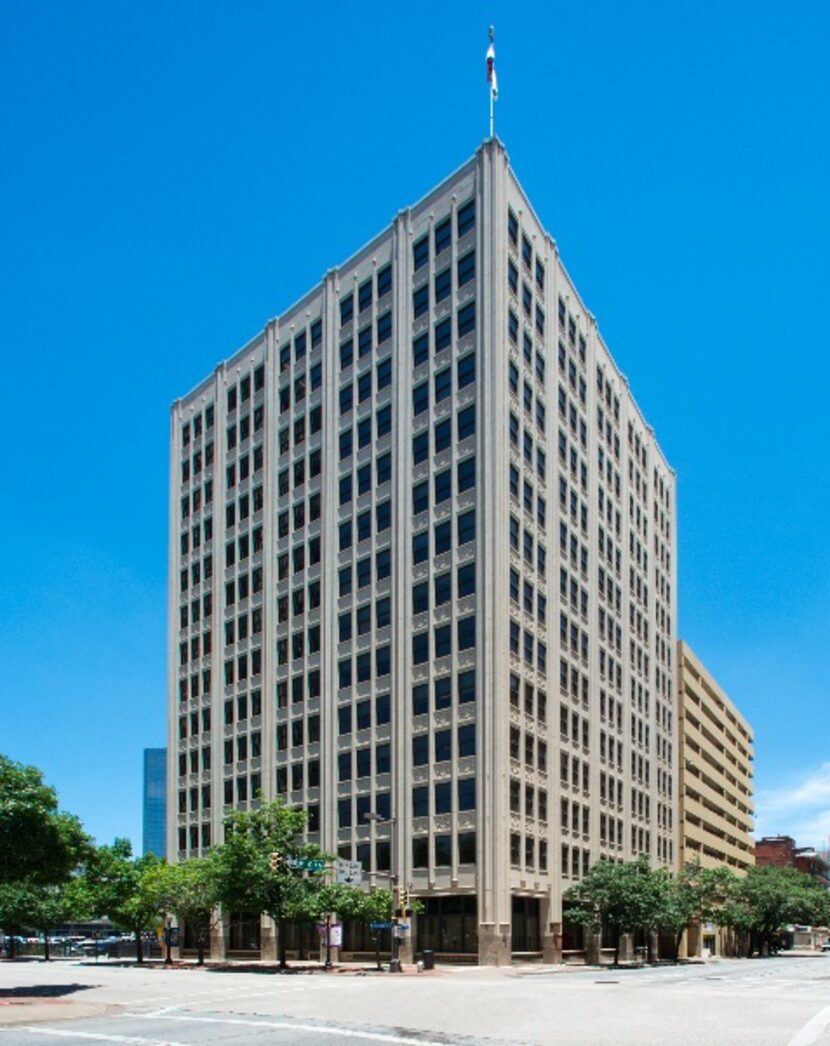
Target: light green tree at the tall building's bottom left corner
column 191, row 892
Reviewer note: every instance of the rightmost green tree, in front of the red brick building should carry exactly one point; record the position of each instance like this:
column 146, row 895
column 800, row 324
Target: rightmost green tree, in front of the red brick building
column 770, row 898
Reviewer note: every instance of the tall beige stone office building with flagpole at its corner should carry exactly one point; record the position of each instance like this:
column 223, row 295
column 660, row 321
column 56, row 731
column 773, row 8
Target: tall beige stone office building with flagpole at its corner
column 422, row 564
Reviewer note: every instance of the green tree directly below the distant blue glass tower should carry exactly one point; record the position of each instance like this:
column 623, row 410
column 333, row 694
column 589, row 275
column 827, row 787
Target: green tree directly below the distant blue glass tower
column 113, row 884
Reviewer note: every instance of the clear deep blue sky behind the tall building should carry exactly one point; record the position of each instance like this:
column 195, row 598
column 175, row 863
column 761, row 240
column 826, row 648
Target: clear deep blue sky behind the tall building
column 174, row 175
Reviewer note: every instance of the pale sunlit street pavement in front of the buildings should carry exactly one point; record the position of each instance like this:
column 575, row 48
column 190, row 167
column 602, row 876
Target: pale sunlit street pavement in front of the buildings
column 783, row 1002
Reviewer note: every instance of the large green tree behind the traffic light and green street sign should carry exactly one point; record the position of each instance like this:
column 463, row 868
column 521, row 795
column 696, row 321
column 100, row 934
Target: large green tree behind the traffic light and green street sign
column 246, row 881
